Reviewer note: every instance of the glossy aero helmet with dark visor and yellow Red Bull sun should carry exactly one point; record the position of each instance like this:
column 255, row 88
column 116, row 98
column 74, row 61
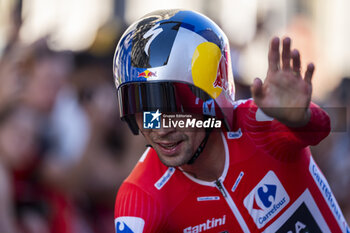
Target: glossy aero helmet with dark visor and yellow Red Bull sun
column 175, row 61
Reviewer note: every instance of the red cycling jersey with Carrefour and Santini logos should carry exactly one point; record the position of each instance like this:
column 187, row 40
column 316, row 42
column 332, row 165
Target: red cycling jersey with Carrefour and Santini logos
column 270, row 183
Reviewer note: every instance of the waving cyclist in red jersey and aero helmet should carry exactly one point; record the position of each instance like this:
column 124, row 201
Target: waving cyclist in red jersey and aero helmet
column 246, row 166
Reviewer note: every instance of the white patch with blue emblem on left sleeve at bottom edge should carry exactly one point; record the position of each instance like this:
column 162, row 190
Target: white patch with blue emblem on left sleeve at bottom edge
column 129, row 225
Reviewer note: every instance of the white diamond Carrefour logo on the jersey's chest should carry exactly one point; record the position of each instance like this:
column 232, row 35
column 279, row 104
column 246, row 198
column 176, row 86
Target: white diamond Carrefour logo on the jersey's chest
column 266, row 199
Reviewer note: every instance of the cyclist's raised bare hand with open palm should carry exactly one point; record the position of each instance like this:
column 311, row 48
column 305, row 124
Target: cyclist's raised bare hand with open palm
column 285, row 95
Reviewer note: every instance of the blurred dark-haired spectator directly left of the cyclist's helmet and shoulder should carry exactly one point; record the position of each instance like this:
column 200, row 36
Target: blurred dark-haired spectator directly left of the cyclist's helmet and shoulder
column 107, row 159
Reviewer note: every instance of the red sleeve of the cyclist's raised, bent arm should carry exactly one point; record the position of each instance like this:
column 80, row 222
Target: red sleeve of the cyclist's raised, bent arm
column 278, row 139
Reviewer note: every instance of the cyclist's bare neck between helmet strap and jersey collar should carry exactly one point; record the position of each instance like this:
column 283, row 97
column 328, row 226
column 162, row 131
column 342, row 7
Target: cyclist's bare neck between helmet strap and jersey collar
column 211, row 162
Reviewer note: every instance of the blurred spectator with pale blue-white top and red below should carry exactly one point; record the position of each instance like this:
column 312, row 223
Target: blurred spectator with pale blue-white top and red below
column 63, row 132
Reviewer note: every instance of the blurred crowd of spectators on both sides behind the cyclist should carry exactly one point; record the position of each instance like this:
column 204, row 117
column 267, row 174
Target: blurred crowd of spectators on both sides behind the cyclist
column 64, row 151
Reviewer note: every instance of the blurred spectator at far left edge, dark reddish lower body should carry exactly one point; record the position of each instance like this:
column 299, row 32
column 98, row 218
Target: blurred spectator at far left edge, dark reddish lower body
column 19, row 147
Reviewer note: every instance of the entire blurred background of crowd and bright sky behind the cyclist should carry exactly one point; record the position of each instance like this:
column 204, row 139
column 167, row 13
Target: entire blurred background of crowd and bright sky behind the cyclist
column 64, row 151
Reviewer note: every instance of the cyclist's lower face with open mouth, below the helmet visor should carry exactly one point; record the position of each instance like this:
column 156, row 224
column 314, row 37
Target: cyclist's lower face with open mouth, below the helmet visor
column 174, row 146
